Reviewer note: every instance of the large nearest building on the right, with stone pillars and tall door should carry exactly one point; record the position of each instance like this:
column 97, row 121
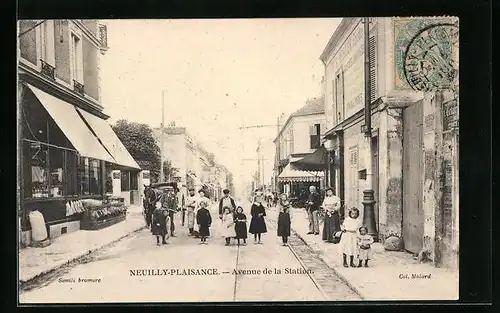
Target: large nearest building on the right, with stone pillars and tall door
column 408, row 151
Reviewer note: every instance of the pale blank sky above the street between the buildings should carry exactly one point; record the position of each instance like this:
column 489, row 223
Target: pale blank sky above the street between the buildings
column 217, row 75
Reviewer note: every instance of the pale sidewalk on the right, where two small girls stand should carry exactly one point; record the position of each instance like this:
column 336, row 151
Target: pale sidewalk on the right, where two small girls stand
column 384, row 279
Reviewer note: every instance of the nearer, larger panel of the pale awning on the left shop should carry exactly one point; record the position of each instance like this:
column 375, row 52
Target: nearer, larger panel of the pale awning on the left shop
column 72, row 125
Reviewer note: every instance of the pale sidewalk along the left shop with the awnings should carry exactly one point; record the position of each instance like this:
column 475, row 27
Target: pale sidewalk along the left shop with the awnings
column 34, row 262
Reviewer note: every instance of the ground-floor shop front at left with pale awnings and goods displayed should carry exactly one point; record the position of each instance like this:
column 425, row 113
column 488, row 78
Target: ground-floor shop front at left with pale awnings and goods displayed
column 64, row 164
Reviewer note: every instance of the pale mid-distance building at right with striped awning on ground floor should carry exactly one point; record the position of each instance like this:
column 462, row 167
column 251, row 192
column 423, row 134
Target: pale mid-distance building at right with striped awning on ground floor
column 299, row 136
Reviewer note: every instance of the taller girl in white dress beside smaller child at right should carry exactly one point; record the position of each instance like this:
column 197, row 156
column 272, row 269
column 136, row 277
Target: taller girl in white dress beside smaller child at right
column 349, row 240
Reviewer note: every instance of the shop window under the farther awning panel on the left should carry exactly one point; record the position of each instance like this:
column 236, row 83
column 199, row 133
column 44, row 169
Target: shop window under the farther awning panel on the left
column 89, row 176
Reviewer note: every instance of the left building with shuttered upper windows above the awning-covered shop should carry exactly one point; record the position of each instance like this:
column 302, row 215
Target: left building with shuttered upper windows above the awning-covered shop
column 67, row 151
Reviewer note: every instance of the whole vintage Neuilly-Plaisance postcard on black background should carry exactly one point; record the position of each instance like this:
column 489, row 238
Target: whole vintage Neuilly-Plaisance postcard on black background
column 238, row 160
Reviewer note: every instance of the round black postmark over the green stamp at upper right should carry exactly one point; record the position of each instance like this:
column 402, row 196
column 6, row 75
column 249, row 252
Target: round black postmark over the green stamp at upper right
column 430, row 61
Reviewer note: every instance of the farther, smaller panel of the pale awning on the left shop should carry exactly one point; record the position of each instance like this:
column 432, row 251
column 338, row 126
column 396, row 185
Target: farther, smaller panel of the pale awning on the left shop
column 110, row 140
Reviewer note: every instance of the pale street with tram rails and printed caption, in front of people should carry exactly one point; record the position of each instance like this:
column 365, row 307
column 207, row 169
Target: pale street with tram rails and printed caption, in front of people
column 113, row 266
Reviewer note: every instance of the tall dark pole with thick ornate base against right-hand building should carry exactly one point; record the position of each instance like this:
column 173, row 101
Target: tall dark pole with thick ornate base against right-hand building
column 368, row 193
